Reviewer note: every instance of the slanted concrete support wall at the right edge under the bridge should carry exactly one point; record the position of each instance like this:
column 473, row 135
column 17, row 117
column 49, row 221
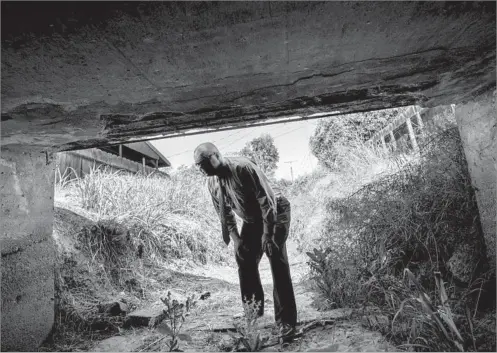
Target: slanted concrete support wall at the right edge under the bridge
column 477, row 121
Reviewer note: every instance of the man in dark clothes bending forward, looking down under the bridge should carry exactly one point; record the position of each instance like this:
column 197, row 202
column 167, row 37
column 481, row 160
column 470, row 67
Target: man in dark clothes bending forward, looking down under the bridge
column 238, row 185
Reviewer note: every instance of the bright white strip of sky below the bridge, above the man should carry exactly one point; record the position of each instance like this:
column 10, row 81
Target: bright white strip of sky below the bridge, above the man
column 291, row 139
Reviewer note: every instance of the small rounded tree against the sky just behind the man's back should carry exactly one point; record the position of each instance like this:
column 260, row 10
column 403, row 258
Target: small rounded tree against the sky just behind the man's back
column 263, row 152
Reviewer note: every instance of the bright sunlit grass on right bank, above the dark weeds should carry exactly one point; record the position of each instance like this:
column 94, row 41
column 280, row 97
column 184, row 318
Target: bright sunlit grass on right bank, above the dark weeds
column 355, row 165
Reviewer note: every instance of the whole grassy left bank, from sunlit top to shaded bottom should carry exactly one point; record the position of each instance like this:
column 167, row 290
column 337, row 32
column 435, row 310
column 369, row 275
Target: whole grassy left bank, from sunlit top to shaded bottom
column 137, row 225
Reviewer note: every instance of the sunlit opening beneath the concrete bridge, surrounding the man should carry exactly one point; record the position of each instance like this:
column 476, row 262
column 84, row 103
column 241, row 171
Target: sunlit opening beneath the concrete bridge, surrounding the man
column 371, row 195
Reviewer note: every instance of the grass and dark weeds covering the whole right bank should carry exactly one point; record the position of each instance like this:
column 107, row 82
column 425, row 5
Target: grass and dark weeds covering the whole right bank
column 386, row 217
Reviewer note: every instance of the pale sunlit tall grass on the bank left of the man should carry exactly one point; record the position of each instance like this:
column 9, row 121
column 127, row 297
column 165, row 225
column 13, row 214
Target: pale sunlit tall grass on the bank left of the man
column 156, row 211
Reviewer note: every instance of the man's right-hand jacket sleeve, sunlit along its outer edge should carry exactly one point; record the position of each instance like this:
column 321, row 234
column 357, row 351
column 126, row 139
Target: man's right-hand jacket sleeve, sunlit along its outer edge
column 263, row 194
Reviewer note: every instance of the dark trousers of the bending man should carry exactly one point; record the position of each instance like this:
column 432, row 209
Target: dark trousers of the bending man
column 249, row 257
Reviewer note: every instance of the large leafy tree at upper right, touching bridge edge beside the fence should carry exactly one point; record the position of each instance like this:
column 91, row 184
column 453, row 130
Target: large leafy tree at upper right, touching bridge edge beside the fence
column 346, row 130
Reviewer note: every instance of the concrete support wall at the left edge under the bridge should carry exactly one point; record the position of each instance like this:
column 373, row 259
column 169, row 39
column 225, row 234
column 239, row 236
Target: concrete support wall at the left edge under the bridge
column 28, row 253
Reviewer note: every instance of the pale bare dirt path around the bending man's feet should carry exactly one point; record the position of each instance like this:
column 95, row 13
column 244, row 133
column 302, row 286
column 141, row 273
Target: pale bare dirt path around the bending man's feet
column 210, row 323
